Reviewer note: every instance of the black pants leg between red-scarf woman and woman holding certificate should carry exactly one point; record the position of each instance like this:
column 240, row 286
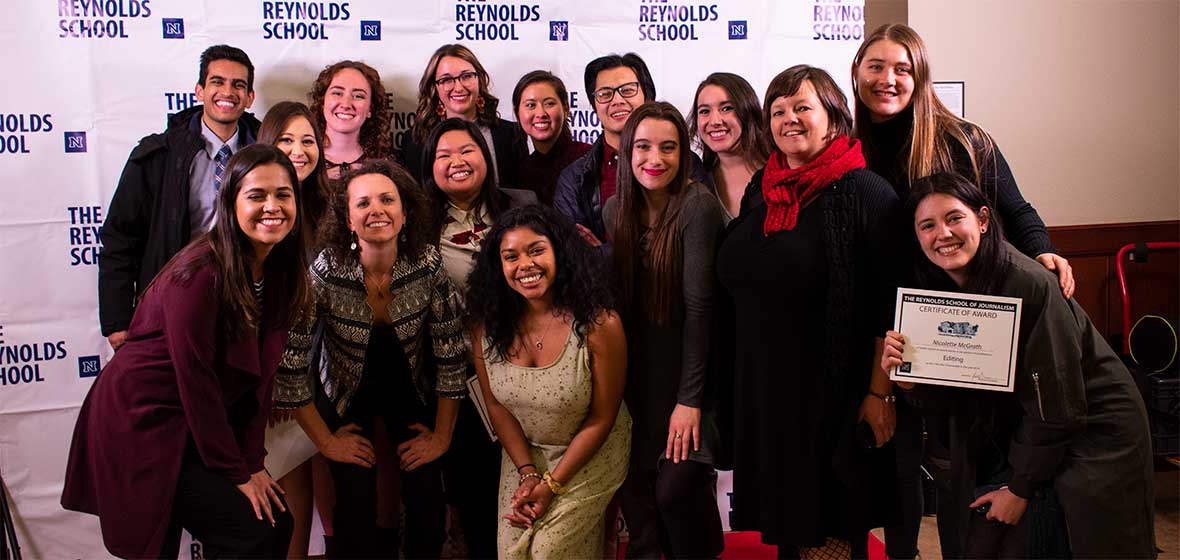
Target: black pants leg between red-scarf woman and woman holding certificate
column 902, row 532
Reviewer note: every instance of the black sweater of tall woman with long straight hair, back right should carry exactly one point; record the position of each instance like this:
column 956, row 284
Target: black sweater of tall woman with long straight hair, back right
column 888, row 153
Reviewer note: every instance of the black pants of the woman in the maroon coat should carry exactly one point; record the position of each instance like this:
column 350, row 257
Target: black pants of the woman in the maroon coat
column 218, row 515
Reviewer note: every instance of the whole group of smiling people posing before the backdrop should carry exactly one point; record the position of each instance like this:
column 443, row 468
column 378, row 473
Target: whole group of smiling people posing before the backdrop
column 637, row 317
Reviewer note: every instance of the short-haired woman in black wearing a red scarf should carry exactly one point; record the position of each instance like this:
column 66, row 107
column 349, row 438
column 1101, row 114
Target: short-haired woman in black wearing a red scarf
column 807, row 268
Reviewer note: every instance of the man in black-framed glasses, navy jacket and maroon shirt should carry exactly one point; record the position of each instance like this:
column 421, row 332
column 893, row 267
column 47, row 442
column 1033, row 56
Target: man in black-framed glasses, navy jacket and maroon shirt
column 619, row 84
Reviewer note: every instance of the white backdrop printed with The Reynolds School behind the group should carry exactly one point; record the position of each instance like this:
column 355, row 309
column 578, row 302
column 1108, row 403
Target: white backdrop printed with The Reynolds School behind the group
column 86, row 80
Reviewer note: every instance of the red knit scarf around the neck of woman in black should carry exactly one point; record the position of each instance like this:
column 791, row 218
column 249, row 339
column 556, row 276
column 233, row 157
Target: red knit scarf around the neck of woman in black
column 788, row 190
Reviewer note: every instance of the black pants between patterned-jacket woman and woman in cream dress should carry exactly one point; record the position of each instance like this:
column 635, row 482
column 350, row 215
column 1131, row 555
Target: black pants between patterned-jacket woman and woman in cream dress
column 473, row 475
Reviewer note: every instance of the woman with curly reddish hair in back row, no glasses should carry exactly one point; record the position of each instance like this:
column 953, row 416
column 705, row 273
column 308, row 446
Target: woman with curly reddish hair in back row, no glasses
column 350, row 107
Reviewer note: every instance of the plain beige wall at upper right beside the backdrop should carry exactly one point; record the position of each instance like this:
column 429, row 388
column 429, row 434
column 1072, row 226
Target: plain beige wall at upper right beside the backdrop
column 1083, row 96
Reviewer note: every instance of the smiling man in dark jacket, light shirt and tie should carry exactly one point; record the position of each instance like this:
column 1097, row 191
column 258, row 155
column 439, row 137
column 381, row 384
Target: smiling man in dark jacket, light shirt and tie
column 169, row 186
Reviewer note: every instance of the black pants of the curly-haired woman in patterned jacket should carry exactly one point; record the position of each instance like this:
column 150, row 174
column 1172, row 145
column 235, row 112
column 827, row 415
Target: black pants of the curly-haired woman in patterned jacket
column 355, row 517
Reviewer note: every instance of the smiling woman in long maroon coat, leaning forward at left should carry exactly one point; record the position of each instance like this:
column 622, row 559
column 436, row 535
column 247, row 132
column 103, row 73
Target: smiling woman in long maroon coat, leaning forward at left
column 180, row 412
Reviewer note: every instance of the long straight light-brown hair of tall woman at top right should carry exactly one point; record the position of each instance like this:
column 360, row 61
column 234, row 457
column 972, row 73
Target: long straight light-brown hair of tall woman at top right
column 934, row 126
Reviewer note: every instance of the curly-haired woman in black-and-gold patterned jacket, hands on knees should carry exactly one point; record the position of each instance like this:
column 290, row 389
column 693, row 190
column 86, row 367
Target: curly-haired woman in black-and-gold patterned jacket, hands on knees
column 379, row 288
